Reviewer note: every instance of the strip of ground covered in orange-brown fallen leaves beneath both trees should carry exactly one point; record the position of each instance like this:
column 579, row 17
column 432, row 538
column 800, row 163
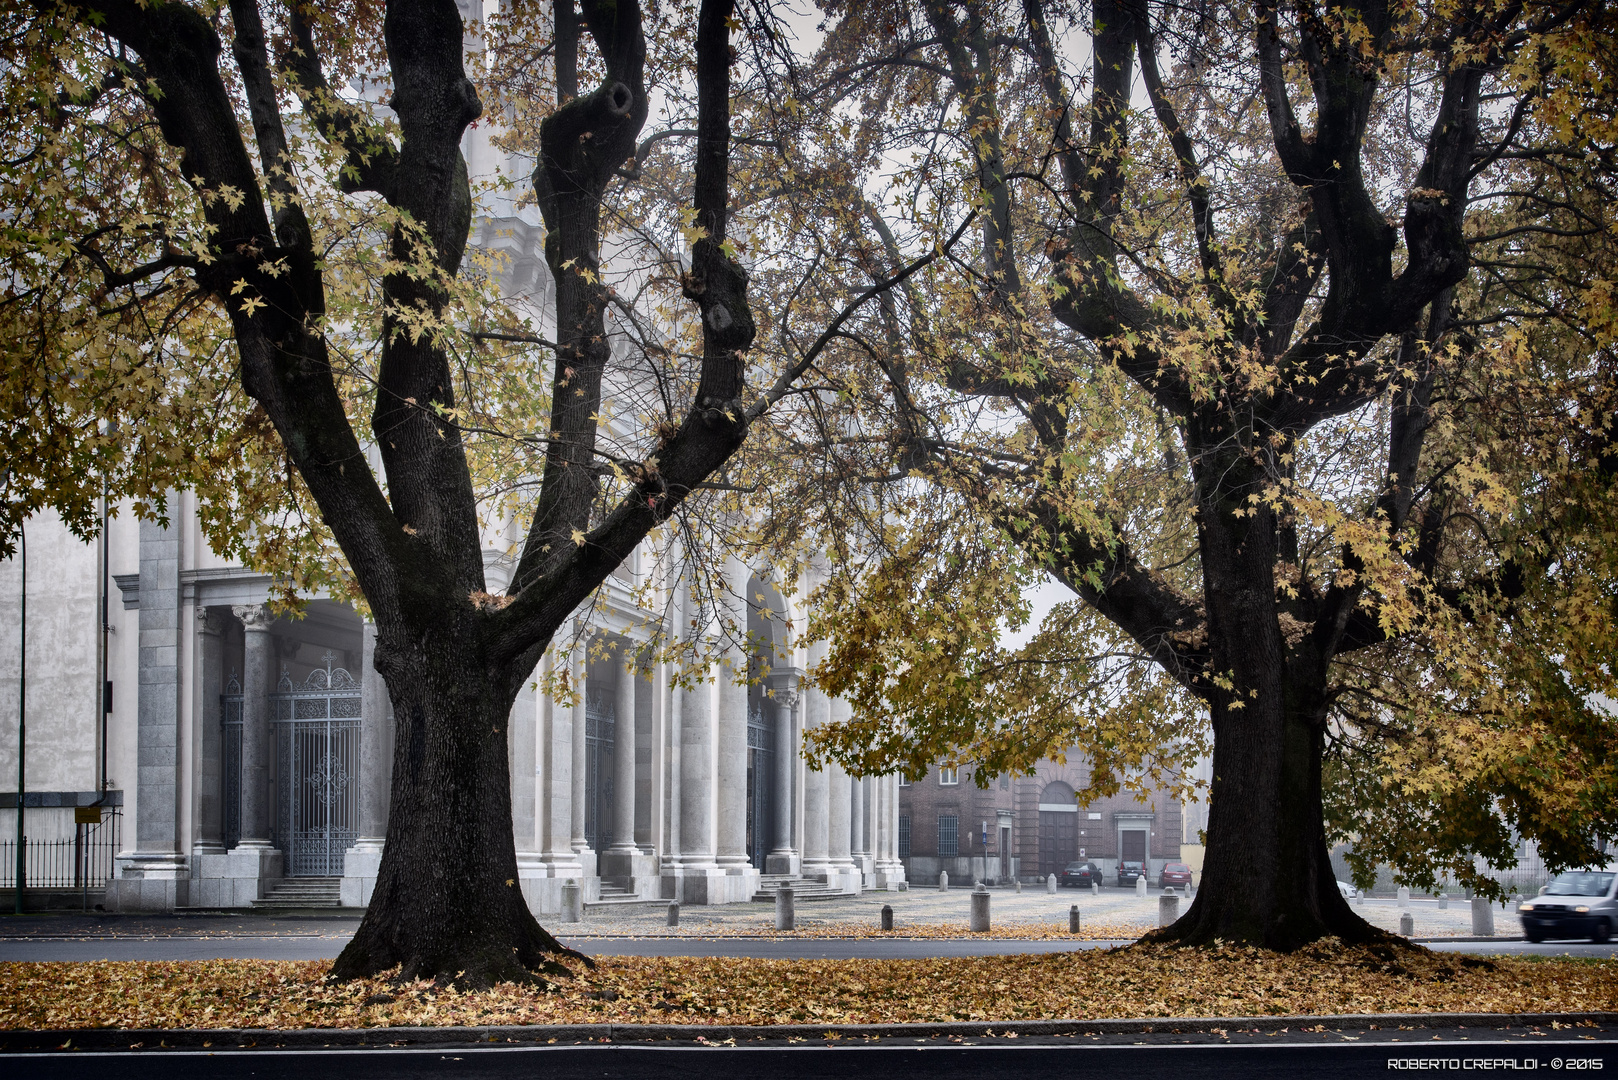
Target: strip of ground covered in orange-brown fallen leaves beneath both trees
column 1135, row 982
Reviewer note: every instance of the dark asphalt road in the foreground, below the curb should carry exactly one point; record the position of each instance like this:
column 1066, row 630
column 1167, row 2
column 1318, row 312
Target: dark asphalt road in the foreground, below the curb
column 1313, row 1055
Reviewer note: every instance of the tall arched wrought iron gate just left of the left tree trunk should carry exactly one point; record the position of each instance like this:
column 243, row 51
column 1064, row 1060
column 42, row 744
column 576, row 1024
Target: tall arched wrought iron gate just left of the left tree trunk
column 318, row 770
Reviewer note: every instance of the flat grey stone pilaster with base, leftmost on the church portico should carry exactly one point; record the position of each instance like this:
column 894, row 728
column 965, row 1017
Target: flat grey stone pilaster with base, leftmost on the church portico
column 155, row 875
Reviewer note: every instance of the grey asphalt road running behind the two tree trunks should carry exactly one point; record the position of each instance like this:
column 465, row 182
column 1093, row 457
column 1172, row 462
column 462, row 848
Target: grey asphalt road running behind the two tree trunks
column 326, row 946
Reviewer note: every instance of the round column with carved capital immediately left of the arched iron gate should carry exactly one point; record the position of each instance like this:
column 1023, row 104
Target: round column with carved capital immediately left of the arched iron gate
column 255, row 862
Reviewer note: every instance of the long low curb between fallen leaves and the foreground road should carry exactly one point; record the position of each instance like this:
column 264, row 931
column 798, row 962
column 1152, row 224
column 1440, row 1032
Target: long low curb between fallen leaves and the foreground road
column 698, row 1034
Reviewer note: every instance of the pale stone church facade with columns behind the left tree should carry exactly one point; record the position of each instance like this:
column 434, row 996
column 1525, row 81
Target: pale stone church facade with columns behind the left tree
column 245, row 755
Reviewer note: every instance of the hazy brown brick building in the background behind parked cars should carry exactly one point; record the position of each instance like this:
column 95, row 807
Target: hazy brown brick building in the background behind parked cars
column 1028, row 827
